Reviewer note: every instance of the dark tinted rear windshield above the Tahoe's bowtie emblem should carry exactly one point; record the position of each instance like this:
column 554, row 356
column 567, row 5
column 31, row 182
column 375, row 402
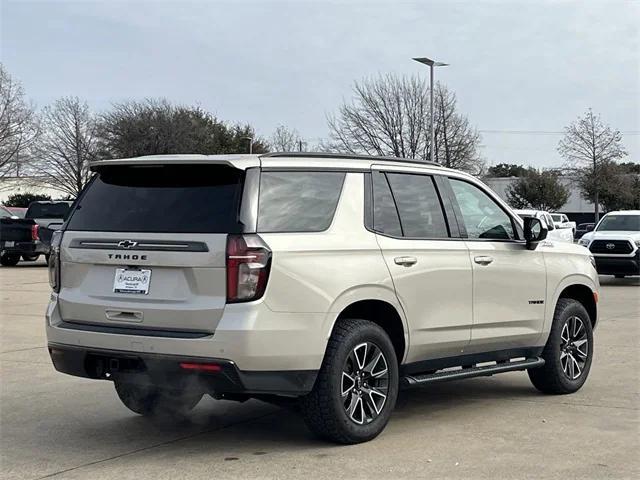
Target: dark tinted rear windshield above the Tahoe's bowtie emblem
column 168, row 198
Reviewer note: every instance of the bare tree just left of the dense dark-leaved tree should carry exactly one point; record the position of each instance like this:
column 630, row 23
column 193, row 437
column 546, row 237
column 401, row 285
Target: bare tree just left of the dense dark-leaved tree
column 66, row 145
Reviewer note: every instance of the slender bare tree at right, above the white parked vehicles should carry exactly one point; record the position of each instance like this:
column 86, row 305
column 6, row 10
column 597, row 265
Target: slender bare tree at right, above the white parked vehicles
column 588, row 146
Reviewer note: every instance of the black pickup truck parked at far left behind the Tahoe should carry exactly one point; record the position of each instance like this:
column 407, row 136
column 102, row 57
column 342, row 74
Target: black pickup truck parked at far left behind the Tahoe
column 30, row 237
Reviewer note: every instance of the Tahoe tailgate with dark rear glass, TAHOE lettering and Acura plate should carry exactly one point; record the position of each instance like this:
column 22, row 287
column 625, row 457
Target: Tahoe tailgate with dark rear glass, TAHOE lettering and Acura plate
column 146, row 247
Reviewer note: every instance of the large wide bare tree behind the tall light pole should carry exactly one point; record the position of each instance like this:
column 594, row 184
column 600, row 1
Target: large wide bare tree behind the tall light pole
column 389, row 115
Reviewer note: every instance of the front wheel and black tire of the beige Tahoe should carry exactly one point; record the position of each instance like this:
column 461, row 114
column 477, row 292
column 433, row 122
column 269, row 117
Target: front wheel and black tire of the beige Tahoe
column 561, row 355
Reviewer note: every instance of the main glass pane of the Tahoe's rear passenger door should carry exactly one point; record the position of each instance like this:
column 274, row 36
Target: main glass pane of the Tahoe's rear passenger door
column 419, row 206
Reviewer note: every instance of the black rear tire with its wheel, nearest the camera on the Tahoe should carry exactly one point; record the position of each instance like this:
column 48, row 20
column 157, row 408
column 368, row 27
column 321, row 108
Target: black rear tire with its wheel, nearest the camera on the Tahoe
column 325, row 408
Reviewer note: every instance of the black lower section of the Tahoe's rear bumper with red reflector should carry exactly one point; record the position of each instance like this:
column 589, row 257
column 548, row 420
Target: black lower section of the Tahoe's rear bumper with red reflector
column 142, row 368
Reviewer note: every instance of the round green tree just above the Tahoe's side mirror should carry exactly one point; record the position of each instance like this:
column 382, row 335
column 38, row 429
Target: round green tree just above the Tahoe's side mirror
column 538, row 190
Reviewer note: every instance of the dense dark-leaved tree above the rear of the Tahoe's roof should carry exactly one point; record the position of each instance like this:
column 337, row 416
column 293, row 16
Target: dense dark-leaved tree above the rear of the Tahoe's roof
column 156, row 126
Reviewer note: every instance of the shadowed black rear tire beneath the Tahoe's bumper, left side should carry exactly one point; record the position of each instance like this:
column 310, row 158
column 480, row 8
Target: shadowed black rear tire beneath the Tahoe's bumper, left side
column 150, row 400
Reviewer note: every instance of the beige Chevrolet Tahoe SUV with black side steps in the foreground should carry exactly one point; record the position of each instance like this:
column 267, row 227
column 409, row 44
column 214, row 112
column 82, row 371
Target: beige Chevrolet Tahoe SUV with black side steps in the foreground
column 331, row 280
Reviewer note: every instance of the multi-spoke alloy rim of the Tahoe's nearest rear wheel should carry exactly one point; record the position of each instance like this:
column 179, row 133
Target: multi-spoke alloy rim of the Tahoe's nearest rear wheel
column 365, row 383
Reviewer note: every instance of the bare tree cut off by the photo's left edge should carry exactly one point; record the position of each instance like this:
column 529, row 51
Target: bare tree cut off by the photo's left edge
column 17, row 124
